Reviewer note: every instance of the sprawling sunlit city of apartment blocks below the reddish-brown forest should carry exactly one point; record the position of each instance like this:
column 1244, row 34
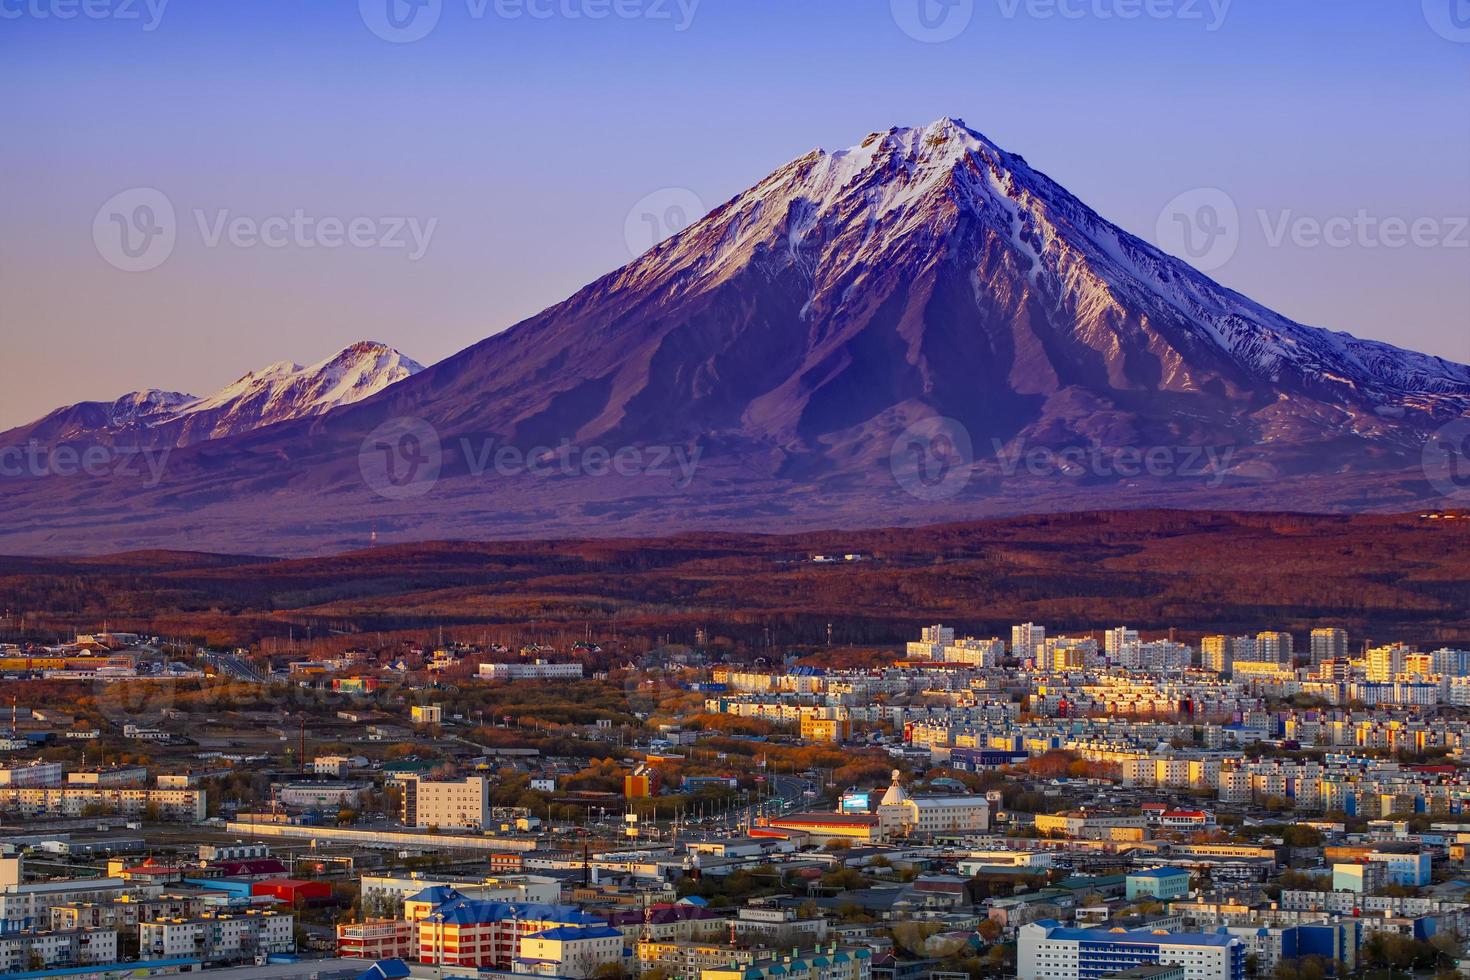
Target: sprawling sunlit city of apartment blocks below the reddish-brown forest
column 1049, row 807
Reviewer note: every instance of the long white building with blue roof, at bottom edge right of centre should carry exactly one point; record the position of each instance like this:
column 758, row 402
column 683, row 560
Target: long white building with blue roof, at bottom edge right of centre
column 1049, row 951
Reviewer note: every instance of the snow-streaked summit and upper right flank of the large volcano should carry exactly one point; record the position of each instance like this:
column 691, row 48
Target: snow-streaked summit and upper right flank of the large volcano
column 905, row 199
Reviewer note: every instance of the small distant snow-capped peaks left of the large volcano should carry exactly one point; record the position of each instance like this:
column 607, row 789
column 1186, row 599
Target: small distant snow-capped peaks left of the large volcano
column 279, row 393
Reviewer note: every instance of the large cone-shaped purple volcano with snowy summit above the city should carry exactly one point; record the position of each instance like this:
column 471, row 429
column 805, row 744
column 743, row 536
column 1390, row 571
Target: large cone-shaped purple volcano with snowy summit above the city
column 896, row 333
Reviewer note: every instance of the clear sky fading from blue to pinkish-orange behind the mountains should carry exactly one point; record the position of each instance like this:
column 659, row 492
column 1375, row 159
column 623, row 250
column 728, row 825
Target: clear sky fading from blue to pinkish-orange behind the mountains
column 531, row 139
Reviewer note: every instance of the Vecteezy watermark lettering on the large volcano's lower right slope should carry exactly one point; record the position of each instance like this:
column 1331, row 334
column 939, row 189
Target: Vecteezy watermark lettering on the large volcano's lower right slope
column 1125, row 462
